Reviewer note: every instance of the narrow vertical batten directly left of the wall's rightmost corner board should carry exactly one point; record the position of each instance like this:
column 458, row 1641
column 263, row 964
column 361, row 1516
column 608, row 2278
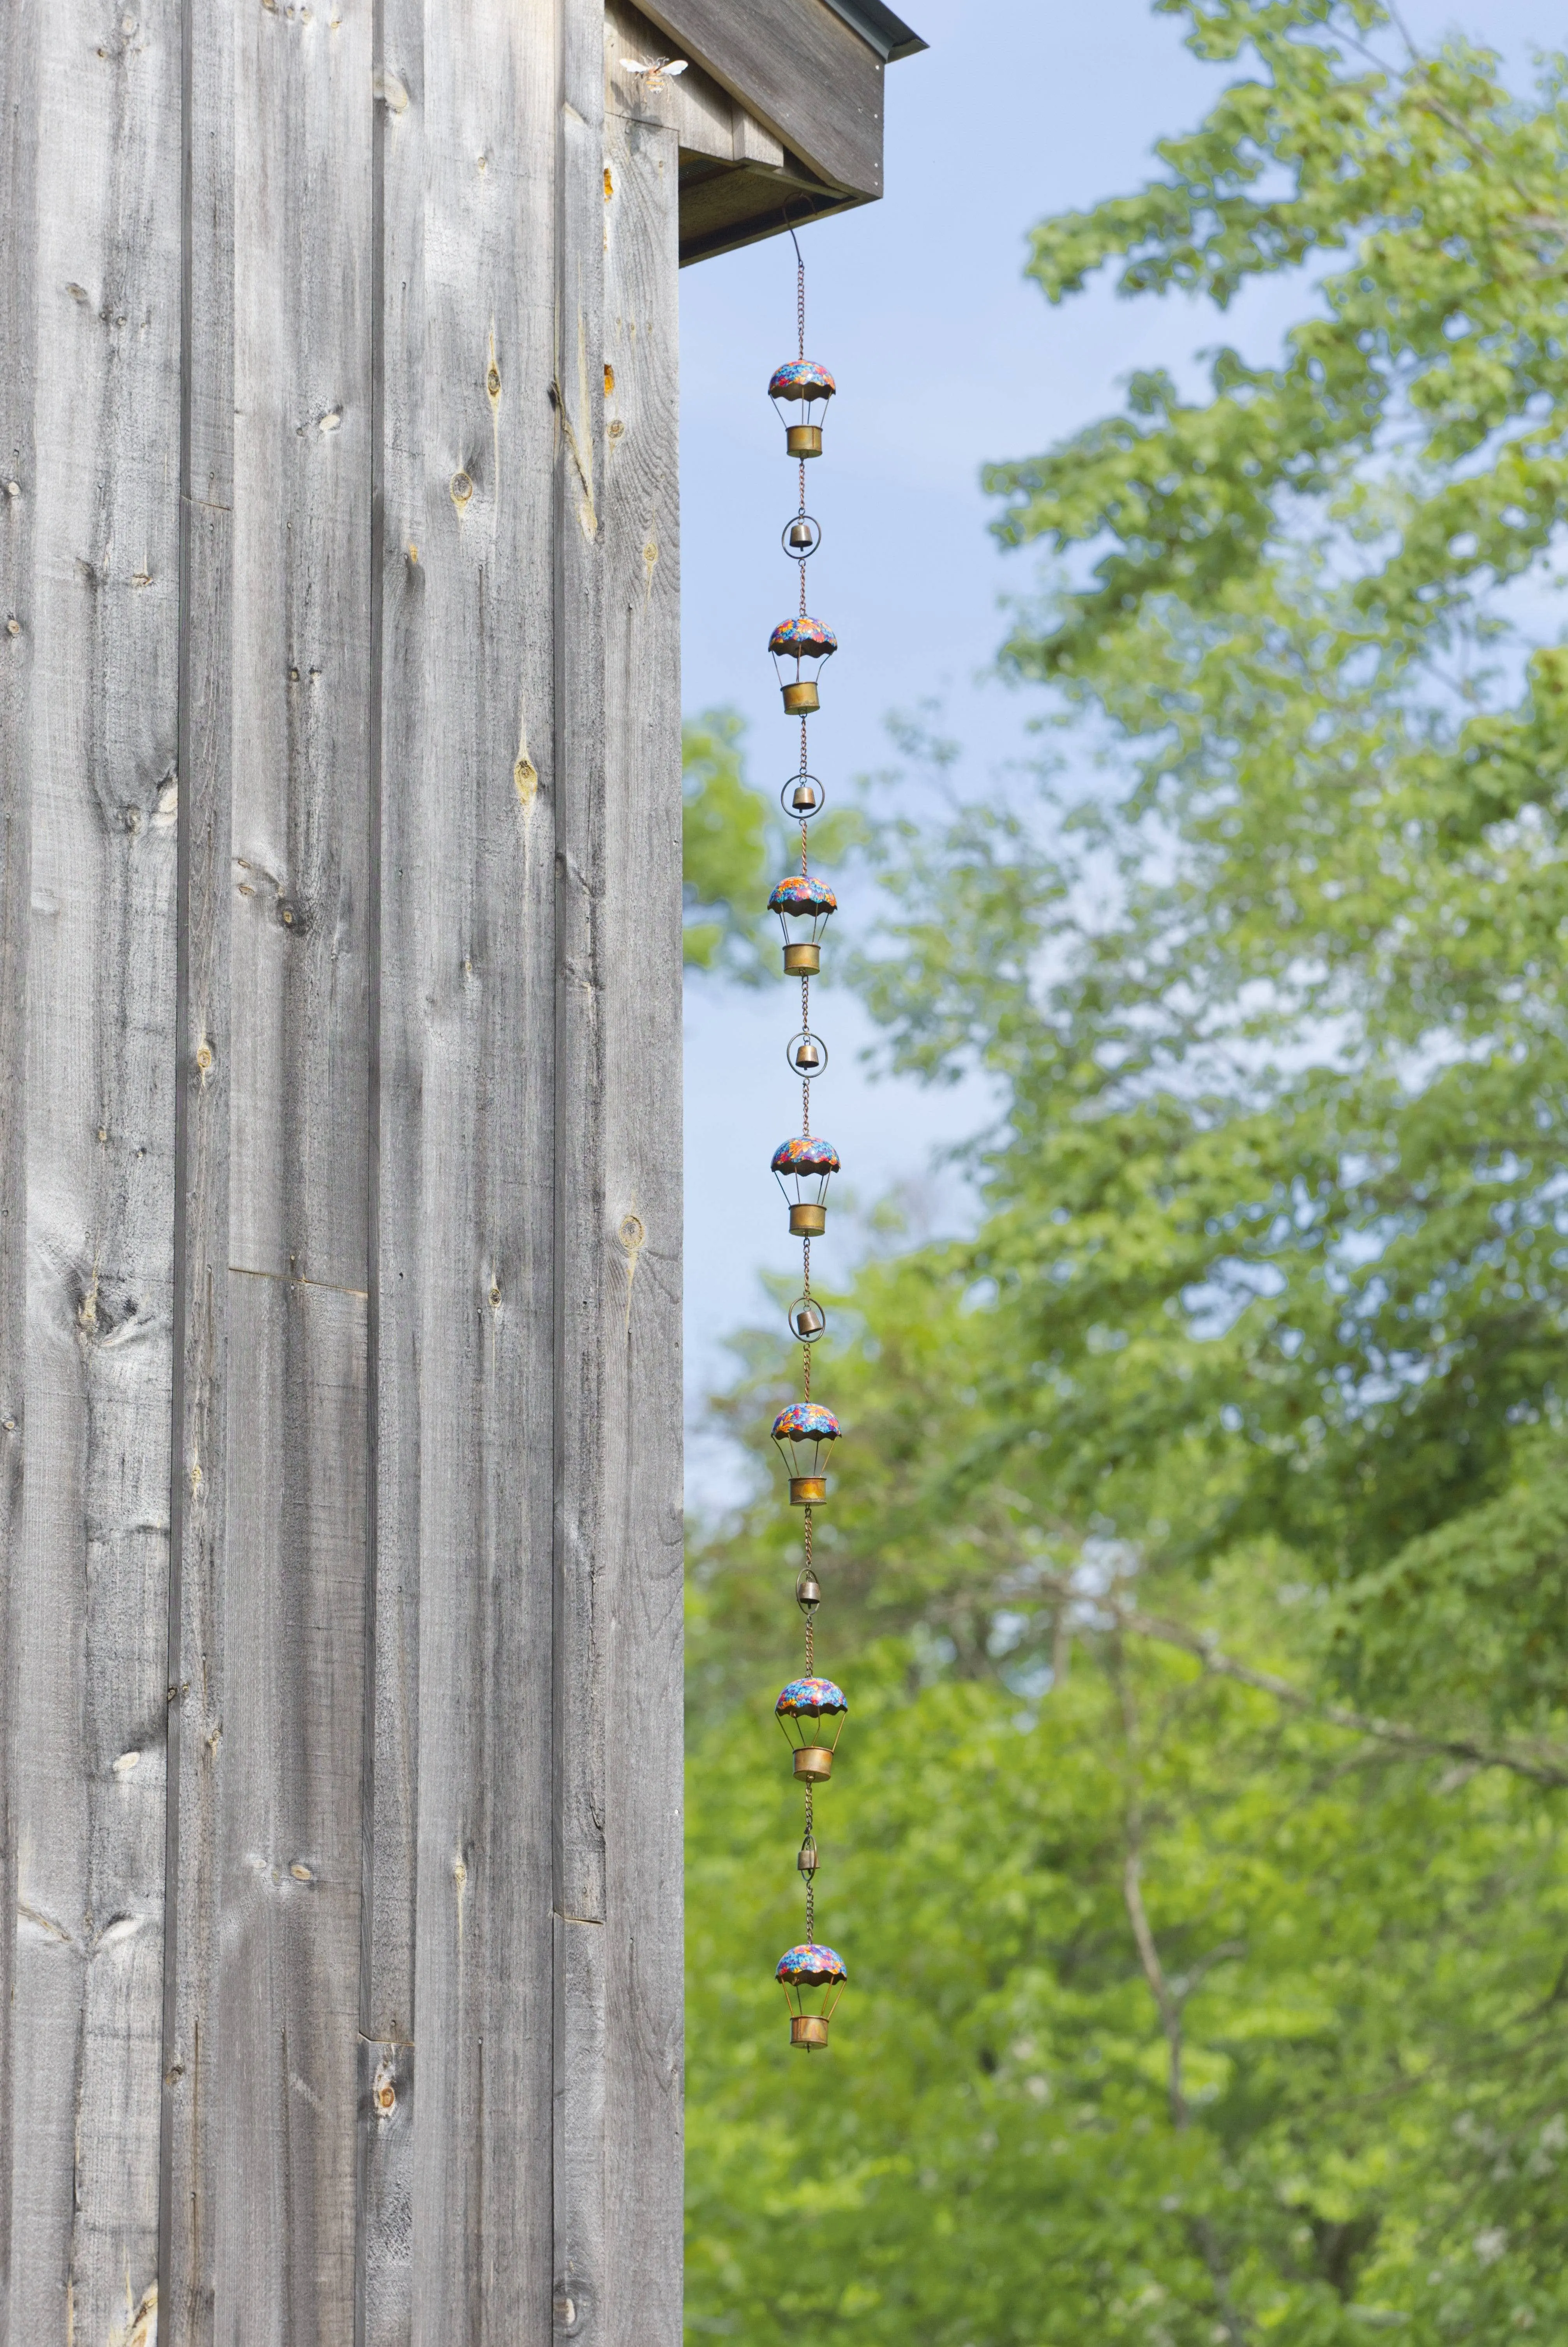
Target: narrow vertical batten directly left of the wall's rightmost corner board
column 581, row 1189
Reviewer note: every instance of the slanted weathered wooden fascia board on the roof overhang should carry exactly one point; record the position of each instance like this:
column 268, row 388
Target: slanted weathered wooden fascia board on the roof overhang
column 797, row 69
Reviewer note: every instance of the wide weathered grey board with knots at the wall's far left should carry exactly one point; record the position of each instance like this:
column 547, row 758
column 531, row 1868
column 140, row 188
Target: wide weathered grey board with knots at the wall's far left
column 95, row 757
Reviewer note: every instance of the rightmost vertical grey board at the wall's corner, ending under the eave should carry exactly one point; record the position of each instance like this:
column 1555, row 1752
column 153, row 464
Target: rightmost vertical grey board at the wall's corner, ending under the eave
column 640, row 1250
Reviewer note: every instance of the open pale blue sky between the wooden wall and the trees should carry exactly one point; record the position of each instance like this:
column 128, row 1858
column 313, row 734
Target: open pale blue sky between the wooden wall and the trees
column 945, row 358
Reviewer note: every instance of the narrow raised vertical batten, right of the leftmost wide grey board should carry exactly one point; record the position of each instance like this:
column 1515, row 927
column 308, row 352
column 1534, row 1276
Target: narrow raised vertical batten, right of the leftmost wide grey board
column 194, row 2071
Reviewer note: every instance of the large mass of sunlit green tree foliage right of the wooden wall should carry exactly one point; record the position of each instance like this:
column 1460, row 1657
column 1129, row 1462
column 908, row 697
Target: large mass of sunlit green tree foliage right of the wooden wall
column 1212, row 1987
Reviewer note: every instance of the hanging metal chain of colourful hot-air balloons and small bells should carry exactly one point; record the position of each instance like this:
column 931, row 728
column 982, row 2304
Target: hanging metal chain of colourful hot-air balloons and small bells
column 811, row 1710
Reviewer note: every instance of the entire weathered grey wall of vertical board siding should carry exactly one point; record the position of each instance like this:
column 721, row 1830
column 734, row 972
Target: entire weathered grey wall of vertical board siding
column 339, row 1179
